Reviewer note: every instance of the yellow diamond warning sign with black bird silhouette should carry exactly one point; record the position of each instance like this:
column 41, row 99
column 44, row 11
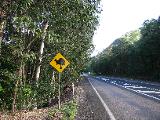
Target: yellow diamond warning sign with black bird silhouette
column 59, row 62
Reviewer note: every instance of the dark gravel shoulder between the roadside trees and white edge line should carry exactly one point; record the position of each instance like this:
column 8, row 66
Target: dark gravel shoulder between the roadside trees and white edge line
column 89, row 105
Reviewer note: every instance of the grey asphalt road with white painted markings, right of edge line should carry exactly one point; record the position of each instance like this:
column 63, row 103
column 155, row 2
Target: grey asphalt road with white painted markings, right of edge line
column 129, row 99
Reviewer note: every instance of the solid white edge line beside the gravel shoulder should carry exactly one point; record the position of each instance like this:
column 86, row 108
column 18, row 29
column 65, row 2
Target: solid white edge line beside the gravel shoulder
column 103, row 103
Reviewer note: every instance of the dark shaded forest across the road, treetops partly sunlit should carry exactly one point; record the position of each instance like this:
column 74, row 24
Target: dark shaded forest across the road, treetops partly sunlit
column 136, row 54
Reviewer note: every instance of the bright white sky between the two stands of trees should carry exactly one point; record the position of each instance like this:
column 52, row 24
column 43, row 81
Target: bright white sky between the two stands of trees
column 121, row 16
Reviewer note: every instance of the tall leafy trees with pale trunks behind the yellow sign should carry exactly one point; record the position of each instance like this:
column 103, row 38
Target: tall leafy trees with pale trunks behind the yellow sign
column 32, row 32
